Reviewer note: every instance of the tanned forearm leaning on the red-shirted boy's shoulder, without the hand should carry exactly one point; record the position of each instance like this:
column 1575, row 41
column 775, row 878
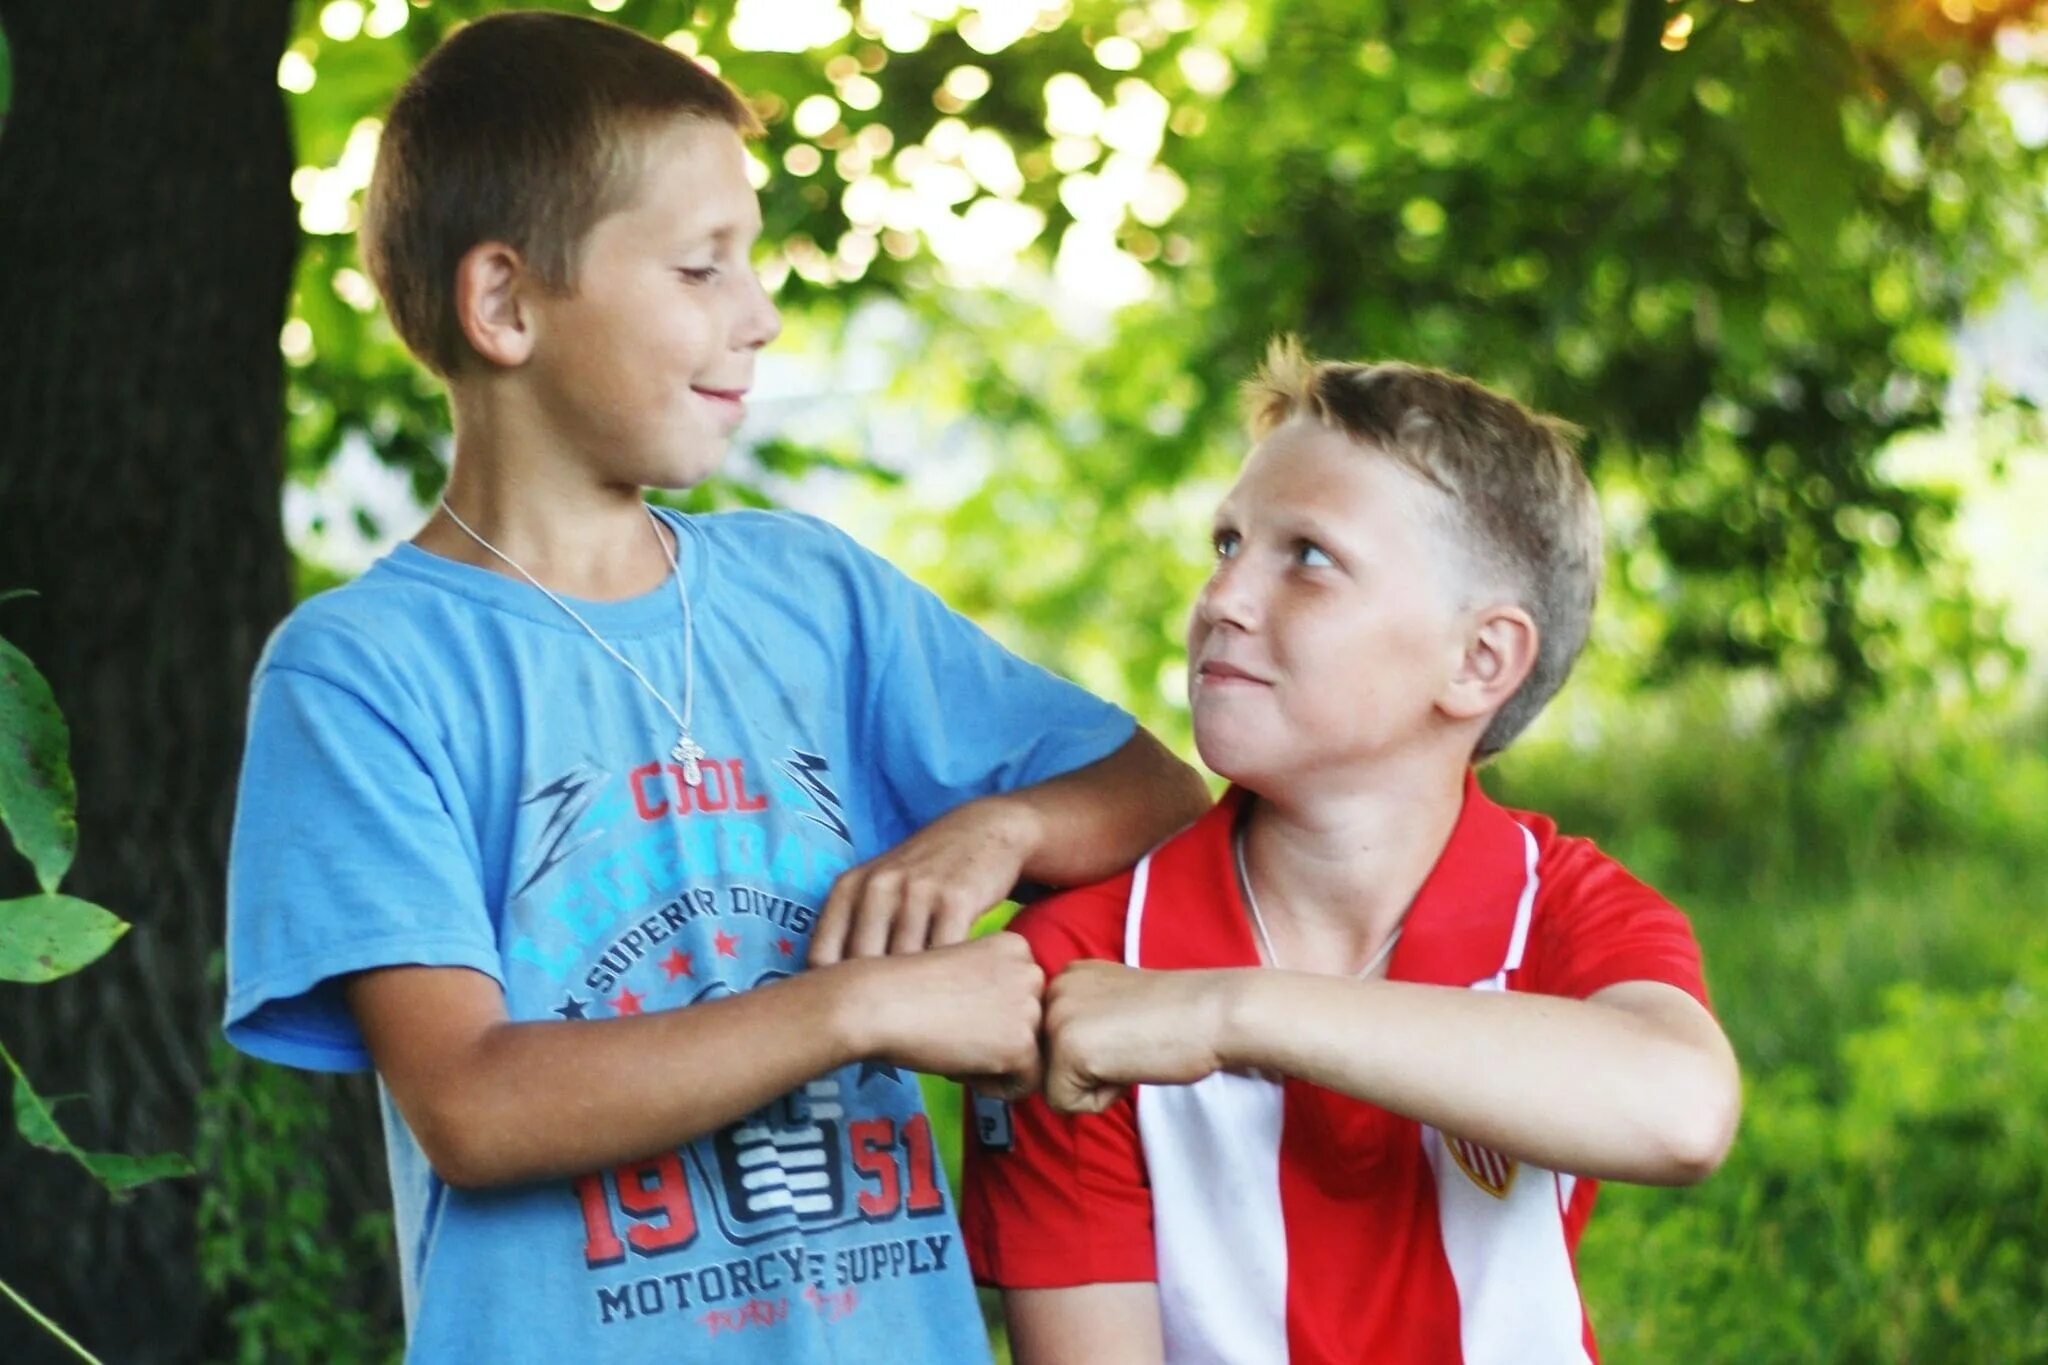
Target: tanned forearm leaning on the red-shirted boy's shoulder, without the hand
column 1101, row 820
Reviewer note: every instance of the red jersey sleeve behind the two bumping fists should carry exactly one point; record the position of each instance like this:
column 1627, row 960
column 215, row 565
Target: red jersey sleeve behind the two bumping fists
column 1054, row 1200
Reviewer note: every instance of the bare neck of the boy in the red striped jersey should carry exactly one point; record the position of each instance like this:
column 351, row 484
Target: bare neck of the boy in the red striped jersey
column 1338, row 871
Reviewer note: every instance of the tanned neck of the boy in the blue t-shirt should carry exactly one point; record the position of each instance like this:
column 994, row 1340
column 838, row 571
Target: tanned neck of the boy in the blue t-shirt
column 570, row 531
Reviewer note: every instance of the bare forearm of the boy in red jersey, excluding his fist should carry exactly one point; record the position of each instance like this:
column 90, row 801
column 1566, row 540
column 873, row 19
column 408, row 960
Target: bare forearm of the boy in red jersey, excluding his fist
column 1570, row 1086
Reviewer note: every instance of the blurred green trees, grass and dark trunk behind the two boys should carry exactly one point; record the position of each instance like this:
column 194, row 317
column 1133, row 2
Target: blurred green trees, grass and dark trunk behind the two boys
column 1781, row 259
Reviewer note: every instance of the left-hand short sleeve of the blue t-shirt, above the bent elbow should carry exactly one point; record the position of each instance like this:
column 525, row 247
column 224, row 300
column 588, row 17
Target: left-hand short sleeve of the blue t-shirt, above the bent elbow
column 343, row 858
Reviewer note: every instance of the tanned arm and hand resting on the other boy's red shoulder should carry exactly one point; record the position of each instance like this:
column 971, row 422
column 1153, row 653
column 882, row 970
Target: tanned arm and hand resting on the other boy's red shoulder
column 1064, row 832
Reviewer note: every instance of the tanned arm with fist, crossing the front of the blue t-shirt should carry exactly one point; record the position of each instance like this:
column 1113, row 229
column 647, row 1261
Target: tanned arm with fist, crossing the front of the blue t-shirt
column 497, row 1102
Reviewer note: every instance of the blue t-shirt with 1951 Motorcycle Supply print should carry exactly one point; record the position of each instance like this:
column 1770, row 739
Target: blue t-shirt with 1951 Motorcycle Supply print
column 445, row 770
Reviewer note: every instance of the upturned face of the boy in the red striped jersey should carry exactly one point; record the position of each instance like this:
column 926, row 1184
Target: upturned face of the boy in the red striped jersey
column 1334, row 623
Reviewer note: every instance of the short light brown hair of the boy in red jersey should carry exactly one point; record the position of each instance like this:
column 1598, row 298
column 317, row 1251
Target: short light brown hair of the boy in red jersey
column 1525, row 507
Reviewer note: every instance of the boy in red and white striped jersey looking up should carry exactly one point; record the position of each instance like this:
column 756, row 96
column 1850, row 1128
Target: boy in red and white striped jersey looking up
column 1332, row 1073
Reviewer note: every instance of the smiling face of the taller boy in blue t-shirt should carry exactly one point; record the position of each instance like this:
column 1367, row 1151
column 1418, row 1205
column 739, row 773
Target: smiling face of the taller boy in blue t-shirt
column 642, row 369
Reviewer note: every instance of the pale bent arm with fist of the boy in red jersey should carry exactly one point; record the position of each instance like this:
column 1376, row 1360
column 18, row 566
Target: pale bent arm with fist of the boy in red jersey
column 1635, row 1084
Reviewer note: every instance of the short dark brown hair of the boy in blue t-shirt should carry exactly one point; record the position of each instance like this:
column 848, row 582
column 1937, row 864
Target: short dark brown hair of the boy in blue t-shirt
column 523, row 130
